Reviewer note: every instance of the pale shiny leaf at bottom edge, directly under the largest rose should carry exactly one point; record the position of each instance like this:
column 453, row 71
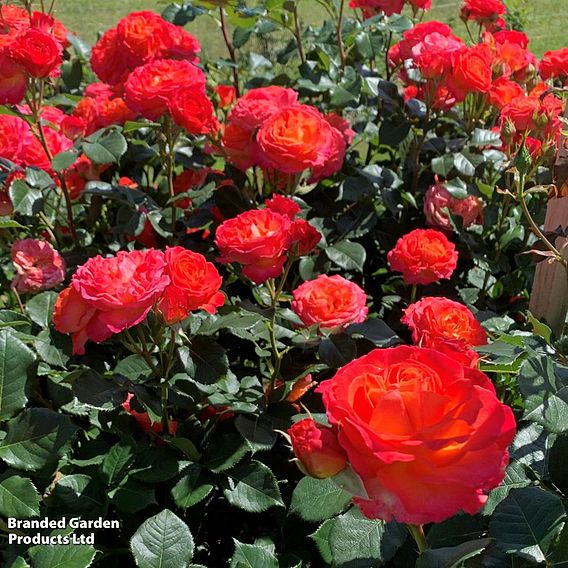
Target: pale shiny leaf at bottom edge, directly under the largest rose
column 376, row 541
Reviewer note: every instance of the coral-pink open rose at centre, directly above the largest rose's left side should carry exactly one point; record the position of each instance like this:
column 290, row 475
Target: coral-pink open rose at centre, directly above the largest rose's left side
column 330, row 301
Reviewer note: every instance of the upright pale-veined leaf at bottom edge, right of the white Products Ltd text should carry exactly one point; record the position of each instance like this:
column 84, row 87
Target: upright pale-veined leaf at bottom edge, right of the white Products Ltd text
column 163, row 541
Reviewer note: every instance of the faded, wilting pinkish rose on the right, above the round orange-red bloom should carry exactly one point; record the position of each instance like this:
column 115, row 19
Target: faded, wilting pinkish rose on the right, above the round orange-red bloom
column 438, row 198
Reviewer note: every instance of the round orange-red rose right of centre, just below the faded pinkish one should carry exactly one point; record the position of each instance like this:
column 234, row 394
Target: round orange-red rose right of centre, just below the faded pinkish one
column 423, row 256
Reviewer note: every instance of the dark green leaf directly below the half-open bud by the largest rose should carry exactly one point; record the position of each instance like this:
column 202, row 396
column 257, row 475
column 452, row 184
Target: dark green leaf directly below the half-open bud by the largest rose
column 318, row 499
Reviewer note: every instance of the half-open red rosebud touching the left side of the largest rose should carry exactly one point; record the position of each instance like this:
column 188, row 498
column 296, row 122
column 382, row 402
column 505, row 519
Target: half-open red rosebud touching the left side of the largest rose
column 317, row 449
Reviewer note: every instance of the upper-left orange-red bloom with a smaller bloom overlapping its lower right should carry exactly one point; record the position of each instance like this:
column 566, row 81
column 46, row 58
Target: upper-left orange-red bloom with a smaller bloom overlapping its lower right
column 150, row 88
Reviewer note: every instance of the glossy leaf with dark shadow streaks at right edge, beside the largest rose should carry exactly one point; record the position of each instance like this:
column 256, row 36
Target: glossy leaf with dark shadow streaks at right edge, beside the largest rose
column 544, row 386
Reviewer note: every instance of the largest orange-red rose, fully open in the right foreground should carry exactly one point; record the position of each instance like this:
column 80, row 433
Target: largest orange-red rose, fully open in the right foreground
column 427, row 436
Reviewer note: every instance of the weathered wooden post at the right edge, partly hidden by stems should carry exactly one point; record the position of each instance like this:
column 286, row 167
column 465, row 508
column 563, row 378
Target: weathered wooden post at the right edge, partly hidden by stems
column 549, row 296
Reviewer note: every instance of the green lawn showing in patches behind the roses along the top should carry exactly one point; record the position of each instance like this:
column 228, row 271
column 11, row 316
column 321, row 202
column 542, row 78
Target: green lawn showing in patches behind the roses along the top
column 543, row 19
